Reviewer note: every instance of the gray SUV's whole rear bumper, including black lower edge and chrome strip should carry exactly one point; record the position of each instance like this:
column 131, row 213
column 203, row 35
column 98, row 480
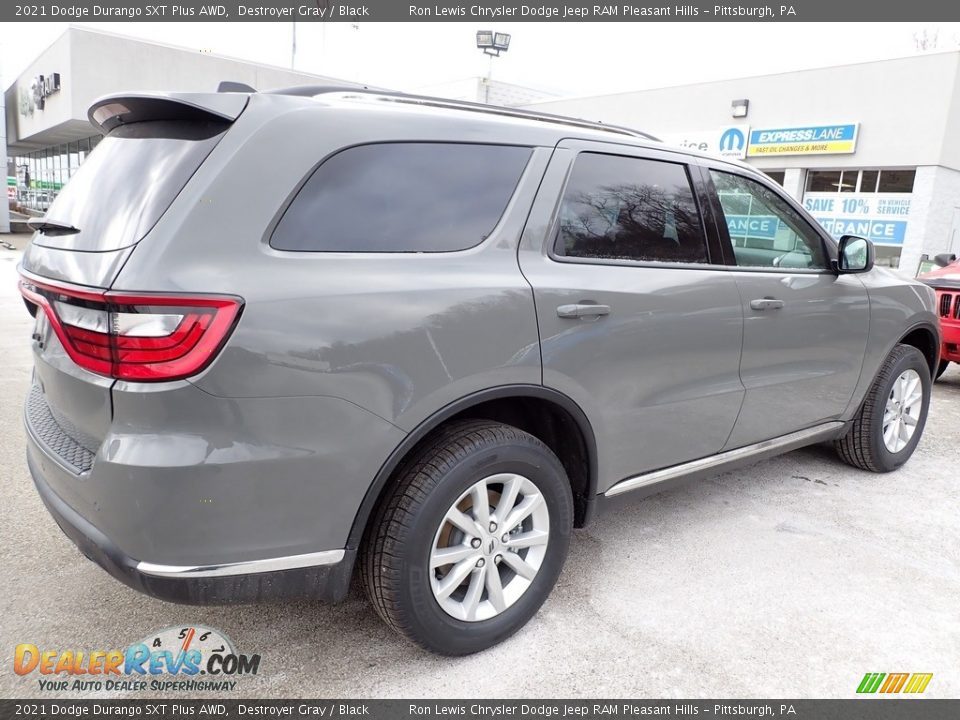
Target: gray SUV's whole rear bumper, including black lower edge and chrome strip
column 198, row 499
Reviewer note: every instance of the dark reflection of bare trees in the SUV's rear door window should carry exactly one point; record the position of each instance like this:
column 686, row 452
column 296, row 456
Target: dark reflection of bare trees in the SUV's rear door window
column 633, row 221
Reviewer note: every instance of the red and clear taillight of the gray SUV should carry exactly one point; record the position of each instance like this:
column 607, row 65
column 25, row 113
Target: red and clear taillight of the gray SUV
column 135, row 336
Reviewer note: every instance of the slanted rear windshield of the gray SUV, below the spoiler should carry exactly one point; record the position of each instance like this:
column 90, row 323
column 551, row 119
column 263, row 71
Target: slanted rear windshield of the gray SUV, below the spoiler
column 128, row 182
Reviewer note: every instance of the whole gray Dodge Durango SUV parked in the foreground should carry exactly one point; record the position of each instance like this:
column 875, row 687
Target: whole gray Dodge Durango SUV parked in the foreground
column 284, row 339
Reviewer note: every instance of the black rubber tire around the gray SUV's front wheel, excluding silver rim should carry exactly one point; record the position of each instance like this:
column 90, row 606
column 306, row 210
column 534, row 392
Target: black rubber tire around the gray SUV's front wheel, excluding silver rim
column 863, row 445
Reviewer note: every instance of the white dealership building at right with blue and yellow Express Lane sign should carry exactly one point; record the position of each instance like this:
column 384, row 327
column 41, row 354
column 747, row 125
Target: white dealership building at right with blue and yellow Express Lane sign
column 871, row 149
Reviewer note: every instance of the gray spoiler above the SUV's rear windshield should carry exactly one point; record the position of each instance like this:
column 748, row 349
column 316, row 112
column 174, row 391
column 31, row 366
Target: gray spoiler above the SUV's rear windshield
column 114, row 110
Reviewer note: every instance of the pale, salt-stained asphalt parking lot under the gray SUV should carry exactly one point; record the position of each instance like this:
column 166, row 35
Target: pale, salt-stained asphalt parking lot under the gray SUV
column 791, row 578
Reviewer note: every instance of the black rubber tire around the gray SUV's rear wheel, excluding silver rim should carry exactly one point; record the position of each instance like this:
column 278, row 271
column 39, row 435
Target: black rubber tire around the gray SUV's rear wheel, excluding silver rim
column 395, row 555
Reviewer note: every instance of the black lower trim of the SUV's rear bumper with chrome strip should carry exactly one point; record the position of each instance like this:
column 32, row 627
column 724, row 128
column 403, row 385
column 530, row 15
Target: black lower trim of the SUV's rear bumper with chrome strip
column 327, row 577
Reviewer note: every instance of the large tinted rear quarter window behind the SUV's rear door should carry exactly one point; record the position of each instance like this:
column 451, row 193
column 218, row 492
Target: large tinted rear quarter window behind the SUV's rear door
column 402, row 197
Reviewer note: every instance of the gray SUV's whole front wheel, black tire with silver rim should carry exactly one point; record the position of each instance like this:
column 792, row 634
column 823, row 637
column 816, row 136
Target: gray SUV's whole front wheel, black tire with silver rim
column 886, row 430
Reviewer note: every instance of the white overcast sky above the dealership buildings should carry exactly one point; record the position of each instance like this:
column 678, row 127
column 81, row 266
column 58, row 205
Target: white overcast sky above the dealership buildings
column 565, row 58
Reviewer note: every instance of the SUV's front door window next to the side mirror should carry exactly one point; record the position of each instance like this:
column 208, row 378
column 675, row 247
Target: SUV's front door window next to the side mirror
column 764, row 229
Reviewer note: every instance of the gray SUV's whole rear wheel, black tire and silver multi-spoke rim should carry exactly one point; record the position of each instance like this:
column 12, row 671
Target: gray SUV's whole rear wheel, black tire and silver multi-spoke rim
column 472, row 539
